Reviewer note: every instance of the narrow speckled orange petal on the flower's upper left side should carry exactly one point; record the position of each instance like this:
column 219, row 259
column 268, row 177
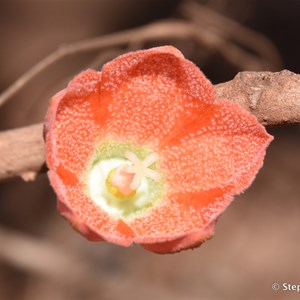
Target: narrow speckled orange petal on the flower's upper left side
column 72, row 124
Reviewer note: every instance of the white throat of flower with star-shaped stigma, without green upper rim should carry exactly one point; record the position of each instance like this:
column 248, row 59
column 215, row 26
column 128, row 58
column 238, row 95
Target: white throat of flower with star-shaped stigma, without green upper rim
column 124, row 186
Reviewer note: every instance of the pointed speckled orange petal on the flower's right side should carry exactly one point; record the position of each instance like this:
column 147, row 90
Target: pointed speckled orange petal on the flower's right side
column 224, row 147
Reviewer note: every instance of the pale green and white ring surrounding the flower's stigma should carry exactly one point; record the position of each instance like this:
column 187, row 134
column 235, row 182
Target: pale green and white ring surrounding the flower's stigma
column 109, row 155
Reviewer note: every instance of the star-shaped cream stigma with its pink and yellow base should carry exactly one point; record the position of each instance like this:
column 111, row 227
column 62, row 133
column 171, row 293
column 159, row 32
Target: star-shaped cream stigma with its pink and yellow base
column 124, row 181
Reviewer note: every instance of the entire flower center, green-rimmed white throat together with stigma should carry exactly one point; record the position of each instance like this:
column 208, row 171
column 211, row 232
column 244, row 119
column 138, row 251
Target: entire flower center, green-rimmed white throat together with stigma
column 124, row 180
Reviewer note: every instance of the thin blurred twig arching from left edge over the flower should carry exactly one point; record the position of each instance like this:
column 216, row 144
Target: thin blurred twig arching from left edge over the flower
column 161, row 31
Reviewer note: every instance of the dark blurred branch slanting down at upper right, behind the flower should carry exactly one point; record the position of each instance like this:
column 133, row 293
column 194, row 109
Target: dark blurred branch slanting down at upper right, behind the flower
column 240, row 45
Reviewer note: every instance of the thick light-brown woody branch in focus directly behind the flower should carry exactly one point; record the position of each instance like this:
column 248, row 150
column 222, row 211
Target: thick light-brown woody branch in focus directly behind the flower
column 274, row 98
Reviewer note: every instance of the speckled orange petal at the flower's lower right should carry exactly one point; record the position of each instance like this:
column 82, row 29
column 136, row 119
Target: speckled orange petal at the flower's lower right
column 180, row 215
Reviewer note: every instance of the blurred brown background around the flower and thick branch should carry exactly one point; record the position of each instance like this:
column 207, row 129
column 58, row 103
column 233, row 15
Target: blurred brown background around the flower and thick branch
column 257, row 241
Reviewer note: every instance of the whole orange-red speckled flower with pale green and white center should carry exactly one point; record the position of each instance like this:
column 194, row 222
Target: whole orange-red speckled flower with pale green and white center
column 141, row 152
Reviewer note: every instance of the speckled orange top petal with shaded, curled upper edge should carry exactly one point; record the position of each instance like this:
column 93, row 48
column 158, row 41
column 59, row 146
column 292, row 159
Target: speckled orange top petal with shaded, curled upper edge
column 149, row 93
